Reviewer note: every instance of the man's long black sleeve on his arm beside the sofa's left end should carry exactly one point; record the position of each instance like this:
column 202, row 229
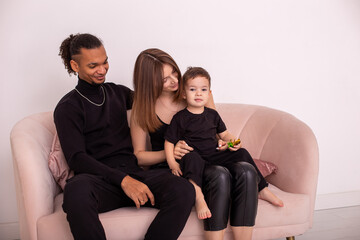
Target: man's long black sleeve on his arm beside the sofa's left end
column 69, row 124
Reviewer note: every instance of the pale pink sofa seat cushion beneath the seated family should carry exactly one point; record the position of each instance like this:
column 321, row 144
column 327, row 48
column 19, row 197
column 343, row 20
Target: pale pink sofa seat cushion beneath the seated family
column 133, row 223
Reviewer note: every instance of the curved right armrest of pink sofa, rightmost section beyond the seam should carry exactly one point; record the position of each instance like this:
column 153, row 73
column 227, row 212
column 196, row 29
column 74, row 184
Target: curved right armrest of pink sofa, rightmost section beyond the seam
column 292, row 146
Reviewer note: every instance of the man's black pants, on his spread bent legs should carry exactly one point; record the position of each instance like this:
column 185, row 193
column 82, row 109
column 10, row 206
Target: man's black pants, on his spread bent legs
column 85, row 196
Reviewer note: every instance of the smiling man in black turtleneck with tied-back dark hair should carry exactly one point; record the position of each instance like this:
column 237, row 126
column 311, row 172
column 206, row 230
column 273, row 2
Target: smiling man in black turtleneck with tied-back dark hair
column 93, row 130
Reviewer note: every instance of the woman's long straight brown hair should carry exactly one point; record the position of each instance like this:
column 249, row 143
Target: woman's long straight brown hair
column 148, row 85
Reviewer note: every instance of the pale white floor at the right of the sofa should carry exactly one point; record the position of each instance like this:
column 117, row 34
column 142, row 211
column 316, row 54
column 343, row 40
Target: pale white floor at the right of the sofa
column 334, row 224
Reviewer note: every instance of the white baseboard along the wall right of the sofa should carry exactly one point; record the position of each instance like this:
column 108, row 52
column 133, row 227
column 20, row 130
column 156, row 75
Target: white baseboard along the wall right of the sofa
column 337, row 200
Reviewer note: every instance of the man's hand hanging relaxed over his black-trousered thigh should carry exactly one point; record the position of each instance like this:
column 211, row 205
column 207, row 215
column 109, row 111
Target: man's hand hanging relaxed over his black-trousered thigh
column 137, row 191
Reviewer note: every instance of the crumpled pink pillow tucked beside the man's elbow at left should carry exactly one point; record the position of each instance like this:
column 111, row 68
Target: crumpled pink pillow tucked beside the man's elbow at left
column 58, row 164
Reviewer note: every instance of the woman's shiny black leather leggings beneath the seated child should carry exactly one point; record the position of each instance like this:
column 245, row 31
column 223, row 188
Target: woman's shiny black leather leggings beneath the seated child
column 230, row 189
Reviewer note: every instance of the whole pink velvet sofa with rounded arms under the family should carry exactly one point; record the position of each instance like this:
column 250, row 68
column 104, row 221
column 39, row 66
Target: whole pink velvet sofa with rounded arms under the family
column 268, row 134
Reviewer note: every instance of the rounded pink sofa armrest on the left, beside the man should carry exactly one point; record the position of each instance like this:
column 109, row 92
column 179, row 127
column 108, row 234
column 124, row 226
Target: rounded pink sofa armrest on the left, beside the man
column 31, row 140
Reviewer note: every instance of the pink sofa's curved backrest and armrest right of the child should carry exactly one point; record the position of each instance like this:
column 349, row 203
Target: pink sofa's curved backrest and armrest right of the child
column 280, row 138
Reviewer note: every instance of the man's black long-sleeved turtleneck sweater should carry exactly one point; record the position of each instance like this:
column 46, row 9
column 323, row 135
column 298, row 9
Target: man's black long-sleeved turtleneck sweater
column 96, row 139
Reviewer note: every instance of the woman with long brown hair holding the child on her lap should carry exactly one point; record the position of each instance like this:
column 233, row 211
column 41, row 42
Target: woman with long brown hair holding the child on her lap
column 157, row 97
